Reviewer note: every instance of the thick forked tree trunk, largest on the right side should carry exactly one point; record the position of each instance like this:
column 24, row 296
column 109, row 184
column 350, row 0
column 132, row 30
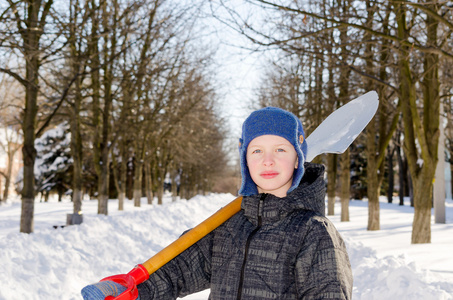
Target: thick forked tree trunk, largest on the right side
column 421, row 135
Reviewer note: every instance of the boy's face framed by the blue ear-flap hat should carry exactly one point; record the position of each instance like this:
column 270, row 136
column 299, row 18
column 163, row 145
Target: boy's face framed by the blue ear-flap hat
column 271, row 161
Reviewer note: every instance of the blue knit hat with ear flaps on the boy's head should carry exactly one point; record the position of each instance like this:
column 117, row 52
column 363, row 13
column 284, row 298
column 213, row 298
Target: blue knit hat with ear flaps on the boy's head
column 274, row 121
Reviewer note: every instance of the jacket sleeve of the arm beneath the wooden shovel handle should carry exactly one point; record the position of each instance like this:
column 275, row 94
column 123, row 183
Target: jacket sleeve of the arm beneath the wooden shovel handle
column 188, row 273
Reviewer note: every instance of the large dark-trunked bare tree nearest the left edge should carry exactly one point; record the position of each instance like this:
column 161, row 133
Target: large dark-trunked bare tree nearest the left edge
column 25, row 25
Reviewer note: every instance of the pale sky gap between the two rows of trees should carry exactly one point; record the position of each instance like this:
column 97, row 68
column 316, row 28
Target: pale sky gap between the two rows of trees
column 237, row 68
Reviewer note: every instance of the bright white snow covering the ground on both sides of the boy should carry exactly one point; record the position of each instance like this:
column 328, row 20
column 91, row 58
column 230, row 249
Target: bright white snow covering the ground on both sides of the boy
column 58, row 263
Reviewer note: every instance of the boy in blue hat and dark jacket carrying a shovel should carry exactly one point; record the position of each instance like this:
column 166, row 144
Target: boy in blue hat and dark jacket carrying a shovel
column 279, row 246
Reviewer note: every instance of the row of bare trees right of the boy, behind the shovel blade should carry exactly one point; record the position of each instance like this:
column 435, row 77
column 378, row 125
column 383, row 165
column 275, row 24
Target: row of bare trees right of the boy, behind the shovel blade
column 327, row 52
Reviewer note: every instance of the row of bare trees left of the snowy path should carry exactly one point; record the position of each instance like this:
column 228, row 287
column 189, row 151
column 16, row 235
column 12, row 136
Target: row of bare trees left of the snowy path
column 128, row 80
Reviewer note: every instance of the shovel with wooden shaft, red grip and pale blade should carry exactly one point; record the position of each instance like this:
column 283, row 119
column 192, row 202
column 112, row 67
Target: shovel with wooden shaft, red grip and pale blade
column 334, row 135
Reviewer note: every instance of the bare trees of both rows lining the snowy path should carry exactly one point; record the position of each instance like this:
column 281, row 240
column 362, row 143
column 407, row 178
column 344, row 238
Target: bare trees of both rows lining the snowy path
column 126, row 77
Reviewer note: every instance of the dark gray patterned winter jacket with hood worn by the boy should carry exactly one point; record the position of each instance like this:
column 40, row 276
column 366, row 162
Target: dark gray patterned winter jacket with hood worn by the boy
column 274, row 248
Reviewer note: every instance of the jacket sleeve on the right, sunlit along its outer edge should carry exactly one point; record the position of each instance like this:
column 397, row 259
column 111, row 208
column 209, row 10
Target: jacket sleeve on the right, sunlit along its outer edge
column 323, row 270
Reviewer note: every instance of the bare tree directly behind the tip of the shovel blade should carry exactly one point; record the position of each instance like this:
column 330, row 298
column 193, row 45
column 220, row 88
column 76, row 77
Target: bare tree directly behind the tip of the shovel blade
column 380, row 130
